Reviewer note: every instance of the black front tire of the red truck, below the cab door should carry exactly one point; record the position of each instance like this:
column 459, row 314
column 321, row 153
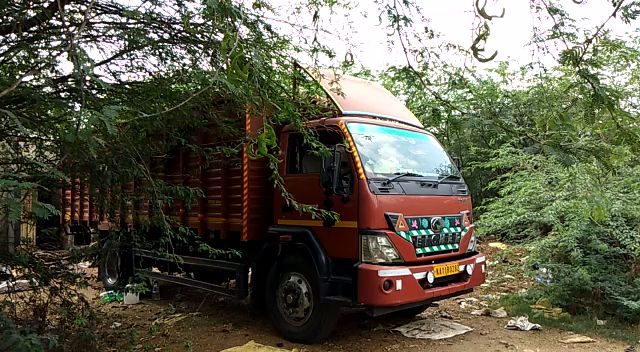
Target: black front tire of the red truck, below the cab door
column 294, row 304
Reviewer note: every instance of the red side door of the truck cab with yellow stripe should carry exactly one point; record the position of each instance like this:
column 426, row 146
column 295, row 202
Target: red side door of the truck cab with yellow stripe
column 302, row 169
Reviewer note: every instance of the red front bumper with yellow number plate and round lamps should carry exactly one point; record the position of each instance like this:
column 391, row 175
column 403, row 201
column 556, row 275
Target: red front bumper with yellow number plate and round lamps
column 408, row 283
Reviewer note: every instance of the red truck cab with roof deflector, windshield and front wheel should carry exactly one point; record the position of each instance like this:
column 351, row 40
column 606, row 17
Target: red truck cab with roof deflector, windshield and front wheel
column 405, row 234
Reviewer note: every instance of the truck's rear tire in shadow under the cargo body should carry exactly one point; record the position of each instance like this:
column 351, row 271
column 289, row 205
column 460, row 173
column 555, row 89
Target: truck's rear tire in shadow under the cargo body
column 114, row 267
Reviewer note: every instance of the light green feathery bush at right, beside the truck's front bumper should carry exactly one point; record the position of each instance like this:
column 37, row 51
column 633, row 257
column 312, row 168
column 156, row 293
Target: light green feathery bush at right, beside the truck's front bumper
column 579, row 221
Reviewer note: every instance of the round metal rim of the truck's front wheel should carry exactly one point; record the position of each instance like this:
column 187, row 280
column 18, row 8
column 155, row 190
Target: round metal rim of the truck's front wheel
column 294, row 298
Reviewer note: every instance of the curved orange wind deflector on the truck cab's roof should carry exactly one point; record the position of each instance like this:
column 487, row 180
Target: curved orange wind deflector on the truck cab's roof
column 355, row 96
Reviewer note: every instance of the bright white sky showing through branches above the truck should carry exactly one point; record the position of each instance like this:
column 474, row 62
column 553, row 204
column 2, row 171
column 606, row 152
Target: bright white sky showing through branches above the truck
column 359, row 31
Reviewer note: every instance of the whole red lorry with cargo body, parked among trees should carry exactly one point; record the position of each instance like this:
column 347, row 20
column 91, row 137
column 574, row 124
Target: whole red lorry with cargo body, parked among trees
column 404, row 238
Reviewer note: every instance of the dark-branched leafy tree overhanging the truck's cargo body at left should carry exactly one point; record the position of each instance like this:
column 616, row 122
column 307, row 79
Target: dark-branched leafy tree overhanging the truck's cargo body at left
column 94, row 90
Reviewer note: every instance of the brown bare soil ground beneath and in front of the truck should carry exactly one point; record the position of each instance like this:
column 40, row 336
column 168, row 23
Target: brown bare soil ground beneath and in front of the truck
column 191, row 320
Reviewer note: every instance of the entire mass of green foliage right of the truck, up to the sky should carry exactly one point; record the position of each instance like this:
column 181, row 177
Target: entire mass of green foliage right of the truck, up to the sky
column 551, row 160
